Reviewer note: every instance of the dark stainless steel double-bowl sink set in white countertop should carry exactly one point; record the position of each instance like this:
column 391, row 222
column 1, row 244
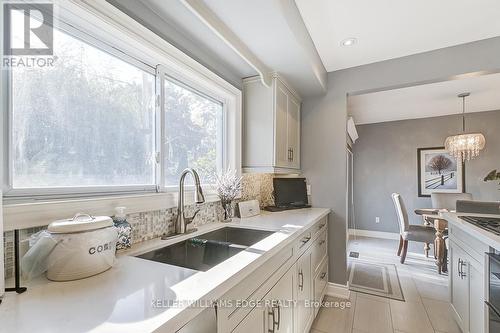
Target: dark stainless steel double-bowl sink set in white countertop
column 207, row 250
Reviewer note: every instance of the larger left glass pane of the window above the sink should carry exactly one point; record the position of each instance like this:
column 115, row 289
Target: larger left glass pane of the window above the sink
column 86, row 121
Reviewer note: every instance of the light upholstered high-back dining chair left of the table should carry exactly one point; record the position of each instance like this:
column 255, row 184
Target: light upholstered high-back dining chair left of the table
column 407, row 231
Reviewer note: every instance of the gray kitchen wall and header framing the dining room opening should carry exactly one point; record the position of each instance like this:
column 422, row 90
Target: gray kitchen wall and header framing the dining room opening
column 323, row 137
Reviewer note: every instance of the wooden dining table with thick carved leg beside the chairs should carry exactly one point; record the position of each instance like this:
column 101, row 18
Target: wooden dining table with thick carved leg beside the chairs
column 431, row 217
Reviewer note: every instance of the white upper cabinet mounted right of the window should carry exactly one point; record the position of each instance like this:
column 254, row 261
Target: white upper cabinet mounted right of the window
column 271, row 127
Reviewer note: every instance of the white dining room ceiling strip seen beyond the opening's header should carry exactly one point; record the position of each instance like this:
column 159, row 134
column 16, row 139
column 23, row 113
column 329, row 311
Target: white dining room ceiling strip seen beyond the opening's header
column 429, row 100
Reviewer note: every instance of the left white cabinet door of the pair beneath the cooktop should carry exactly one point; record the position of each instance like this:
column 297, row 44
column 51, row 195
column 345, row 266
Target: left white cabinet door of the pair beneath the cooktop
column 459, row 285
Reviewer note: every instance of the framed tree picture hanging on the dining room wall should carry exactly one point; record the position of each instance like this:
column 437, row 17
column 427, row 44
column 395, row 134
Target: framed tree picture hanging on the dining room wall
column 438, row 171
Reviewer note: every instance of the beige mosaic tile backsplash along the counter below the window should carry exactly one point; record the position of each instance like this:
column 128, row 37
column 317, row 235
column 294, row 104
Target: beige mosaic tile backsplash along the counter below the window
column 153, row 224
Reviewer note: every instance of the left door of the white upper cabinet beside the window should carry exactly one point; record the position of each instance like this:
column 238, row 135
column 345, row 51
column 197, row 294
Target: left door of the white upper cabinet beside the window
column 281, row 153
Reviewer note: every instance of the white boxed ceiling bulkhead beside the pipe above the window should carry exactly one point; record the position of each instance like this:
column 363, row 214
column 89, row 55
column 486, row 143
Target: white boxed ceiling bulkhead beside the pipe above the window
column 275, row 32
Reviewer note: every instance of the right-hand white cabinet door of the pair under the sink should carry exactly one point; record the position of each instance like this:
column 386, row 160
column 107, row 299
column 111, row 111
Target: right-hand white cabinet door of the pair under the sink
column 280, row 316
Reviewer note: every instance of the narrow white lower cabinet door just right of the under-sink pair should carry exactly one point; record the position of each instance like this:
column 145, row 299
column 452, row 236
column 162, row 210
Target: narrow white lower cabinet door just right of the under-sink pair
column 304, row 311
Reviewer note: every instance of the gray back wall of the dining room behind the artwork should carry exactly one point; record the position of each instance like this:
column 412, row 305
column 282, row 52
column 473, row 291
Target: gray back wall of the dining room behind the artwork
column 385, row 161
